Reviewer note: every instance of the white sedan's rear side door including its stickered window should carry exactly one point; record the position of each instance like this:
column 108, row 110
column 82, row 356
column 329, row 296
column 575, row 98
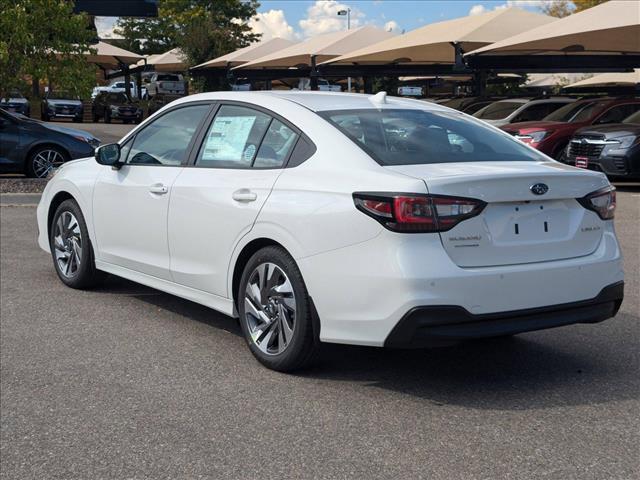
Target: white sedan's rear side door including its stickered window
column 215, row 202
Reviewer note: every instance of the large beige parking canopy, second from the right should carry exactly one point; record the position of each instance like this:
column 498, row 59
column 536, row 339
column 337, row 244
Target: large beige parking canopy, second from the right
column 433, row 43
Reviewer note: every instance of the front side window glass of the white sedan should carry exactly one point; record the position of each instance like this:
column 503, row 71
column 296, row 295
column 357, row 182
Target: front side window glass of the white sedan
column 165, row 140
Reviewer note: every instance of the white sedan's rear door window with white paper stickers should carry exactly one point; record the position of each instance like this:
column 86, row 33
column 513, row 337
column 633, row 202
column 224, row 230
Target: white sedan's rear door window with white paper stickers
column 234, row 138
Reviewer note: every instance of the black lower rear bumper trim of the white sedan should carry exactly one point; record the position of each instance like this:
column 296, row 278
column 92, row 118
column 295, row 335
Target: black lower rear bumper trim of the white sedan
column 424, row 326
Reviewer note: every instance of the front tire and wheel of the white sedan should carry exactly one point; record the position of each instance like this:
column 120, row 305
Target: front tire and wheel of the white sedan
column 69, row 238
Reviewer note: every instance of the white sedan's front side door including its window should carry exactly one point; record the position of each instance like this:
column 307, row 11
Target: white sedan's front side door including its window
column 130, row 204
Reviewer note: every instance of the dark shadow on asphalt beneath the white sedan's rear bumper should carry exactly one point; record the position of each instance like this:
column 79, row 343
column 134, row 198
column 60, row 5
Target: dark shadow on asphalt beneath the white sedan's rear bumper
column 530, row 371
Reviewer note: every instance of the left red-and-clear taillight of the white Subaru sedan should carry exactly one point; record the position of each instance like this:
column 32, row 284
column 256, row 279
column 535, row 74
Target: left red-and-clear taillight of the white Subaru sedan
column 411, row 213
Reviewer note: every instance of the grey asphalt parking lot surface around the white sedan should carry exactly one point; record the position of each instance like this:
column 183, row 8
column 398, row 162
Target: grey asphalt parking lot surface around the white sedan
column 129, row 382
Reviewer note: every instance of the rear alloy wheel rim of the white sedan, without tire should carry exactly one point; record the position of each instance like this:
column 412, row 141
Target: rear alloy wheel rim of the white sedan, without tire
column 270, row 309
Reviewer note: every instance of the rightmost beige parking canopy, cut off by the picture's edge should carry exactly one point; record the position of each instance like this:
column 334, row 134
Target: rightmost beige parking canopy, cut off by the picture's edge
column 610, row 28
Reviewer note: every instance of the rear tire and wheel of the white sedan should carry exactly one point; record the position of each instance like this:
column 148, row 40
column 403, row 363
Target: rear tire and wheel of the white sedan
column 284, row 302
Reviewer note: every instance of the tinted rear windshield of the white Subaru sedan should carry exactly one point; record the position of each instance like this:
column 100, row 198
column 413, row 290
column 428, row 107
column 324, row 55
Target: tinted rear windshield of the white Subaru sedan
column 409, row 137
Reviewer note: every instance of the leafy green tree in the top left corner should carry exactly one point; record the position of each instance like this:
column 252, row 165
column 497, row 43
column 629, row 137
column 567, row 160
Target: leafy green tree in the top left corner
column 44, row 39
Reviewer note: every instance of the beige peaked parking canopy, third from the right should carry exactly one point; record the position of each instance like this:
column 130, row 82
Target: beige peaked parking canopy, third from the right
column 322, row 47
